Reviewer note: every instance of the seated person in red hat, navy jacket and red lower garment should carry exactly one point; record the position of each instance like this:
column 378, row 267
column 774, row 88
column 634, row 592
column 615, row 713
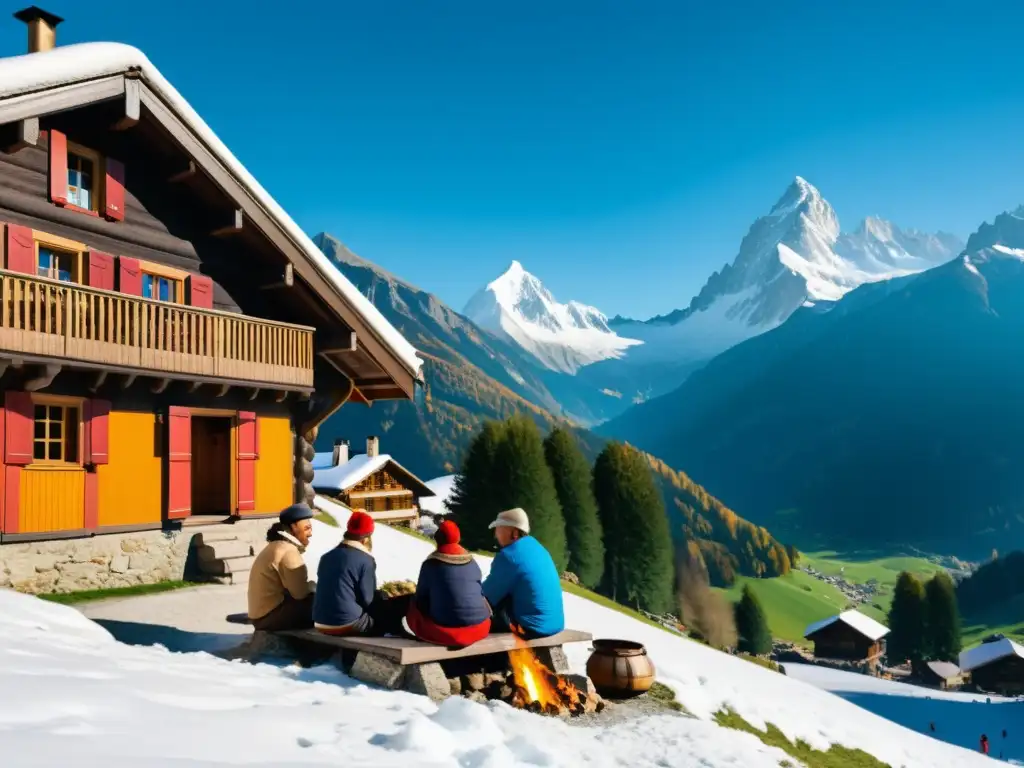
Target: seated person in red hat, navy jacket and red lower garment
column 449, row 608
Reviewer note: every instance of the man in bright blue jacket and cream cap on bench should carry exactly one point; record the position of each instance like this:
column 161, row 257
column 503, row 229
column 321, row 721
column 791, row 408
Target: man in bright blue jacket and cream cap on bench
column 524, row 588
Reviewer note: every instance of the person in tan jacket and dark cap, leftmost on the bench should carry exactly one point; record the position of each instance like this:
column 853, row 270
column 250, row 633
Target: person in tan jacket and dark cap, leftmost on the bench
column 281, row 595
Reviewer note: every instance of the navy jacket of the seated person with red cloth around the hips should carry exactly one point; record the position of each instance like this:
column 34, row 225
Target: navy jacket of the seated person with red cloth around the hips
column 449, row 591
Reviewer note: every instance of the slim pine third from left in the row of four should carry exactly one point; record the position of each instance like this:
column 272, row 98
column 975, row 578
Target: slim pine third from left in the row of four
column 576, row 494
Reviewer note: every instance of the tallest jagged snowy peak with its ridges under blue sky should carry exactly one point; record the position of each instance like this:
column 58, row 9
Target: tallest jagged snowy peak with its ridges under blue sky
column 791, row 258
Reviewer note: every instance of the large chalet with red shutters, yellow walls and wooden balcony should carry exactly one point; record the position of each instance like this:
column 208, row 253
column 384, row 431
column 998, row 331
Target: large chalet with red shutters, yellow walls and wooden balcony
column 169, row 338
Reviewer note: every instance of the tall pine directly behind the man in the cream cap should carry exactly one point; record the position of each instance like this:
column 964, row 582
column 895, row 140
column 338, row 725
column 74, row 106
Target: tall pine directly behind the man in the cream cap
column 523, row 479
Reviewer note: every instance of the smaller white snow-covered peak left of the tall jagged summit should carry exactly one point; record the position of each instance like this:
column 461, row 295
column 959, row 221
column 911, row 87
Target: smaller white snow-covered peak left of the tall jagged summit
column 563, row 337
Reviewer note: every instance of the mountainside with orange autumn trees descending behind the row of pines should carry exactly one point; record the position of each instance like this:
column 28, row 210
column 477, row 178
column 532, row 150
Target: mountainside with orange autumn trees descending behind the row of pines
column 464, row 386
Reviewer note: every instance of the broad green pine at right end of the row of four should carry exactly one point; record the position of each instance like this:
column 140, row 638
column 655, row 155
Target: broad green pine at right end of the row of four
column 638, row 568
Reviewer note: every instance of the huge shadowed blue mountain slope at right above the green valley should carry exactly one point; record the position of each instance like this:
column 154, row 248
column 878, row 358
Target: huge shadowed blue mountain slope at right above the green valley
column 893, row 414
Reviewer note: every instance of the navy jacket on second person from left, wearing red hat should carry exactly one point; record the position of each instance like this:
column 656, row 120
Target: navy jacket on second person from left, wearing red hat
column 347, row 581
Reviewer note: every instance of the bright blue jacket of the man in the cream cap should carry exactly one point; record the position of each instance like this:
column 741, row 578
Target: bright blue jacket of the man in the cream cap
column 525, row 574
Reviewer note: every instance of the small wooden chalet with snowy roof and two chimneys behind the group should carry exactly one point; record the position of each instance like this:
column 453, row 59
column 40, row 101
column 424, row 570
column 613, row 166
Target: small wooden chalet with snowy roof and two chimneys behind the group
column 373, row 482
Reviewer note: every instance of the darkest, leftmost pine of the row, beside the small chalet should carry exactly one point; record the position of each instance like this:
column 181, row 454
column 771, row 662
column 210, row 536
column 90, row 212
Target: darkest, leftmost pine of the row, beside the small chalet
column 473, row 503
